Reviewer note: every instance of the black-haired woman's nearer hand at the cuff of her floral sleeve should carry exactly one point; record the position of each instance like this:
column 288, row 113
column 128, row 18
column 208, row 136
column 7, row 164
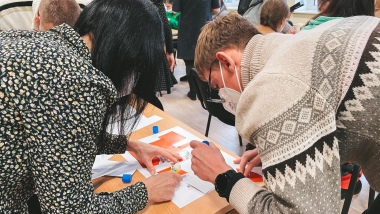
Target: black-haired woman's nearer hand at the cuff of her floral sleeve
column 161, row 187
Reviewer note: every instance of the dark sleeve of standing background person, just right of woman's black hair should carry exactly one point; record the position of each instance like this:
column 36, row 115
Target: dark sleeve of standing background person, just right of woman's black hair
column 166, row 25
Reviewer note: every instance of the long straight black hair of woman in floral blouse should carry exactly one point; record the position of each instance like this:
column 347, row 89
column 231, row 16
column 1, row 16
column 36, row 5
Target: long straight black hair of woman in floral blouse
column 127, row 45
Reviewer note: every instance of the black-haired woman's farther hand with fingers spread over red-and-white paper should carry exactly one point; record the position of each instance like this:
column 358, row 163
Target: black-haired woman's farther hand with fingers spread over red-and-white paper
column 146, row 152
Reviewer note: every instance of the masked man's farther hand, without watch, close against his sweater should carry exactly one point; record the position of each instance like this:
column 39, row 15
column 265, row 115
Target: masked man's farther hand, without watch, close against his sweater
column 250, row 159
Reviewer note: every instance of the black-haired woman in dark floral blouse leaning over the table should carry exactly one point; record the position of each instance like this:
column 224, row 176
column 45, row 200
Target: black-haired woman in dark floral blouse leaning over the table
column 59, row 91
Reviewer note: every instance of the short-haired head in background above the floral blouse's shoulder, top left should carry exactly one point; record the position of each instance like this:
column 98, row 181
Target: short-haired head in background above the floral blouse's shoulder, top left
column 51, row 13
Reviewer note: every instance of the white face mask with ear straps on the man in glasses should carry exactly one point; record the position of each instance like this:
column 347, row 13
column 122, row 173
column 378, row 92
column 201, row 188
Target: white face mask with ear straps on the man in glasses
column 230, row 96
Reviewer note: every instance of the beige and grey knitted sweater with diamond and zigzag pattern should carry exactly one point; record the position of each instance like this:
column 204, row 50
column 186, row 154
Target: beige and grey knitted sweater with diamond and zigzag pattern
column 310, row 103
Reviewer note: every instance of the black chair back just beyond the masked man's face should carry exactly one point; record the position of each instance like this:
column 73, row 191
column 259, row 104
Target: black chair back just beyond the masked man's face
column 215, row 109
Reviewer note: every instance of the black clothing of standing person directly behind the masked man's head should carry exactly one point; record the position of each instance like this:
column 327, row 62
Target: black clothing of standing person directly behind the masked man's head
column 194, row 15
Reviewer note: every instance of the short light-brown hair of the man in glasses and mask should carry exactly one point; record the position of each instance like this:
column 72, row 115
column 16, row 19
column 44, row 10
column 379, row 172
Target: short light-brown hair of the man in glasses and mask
column 229, row 31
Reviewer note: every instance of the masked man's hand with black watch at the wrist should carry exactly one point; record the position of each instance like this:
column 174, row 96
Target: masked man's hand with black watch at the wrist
column 207, row 162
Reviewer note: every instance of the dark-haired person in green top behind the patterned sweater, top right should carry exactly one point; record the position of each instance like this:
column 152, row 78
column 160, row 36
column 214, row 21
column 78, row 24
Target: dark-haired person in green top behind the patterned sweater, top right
column 338, row 9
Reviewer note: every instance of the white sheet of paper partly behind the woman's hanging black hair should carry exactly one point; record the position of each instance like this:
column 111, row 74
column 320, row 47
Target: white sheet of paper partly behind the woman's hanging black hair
column 143, row 122
